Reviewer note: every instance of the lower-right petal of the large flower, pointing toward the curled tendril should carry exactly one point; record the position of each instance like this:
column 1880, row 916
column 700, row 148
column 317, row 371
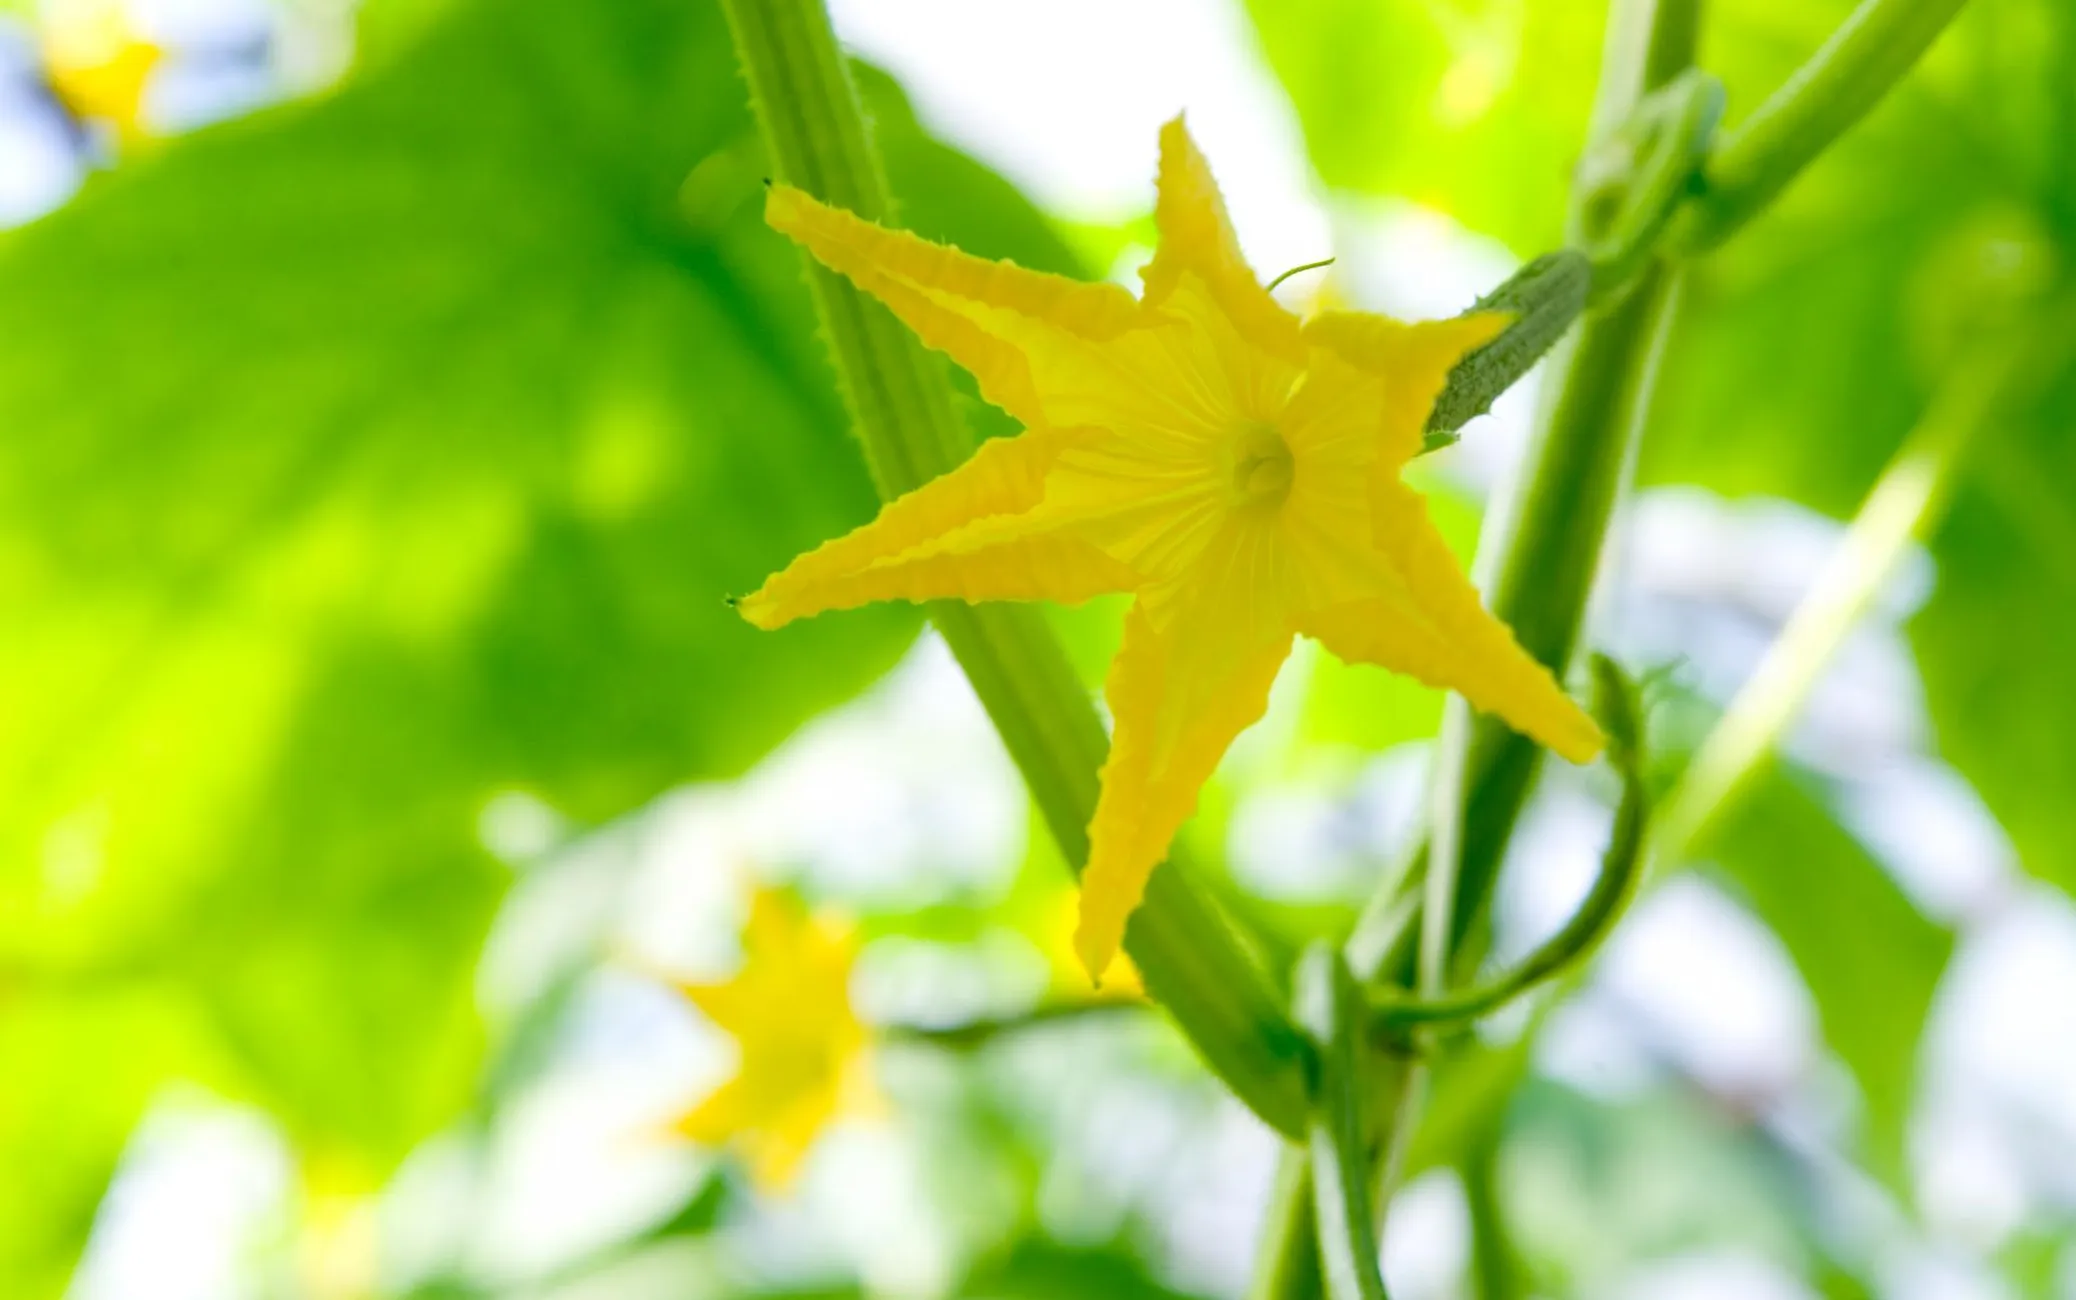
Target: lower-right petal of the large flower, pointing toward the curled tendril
column 1427, row 622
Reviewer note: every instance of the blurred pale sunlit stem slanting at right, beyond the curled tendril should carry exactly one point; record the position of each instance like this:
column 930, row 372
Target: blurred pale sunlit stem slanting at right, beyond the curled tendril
column 1905, row 506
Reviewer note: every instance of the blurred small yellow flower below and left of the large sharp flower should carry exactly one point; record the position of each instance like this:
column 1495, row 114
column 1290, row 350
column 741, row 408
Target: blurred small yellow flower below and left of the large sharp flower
column 802, row 1050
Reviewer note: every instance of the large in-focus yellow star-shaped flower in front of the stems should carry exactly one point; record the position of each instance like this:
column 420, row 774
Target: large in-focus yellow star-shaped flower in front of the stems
column 1199, row 448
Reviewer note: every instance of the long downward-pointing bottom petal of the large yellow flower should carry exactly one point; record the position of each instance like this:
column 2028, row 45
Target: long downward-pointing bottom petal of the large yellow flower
column 1178, row 699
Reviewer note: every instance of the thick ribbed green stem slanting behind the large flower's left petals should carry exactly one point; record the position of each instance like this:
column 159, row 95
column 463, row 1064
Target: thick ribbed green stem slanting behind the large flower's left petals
column 912, row 433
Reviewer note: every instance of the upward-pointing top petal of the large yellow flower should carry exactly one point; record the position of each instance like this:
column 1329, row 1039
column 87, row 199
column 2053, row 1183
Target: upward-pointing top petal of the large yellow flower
column 1197, row 236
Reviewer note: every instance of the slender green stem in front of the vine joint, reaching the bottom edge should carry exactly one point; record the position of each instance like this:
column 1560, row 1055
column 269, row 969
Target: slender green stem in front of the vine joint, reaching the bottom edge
column 1332, row 1008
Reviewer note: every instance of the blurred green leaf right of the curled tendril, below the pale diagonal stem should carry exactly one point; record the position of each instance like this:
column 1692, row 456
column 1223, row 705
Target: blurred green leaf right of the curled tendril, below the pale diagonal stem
column 1872, row 960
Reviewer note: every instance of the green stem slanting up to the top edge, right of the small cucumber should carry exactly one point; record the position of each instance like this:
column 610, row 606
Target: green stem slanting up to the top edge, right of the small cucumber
column 1820, row 103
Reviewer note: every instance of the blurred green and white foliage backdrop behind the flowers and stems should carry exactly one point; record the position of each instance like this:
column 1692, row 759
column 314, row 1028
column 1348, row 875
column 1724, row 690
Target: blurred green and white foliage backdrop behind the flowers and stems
column 377, row 458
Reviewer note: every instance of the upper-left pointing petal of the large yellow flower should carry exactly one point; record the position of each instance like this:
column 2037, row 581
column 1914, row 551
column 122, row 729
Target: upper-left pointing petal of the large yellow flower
column 985, row 315
